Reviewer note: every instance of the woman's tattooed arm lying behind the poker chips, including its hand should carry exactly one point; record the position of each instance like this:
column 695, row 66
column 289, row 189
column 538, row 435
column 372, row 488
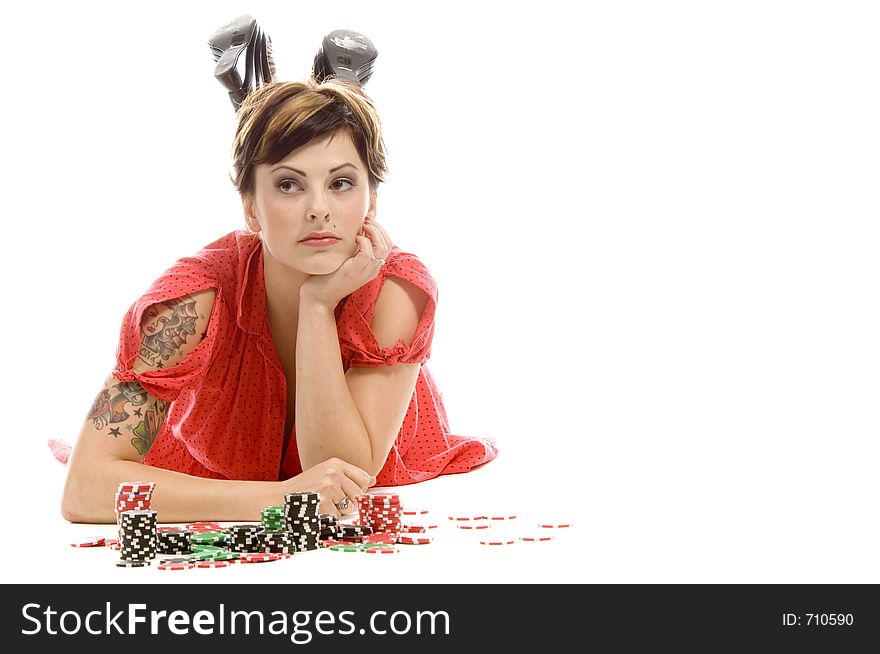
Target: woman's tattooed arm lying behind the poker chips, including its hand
column 125, row 421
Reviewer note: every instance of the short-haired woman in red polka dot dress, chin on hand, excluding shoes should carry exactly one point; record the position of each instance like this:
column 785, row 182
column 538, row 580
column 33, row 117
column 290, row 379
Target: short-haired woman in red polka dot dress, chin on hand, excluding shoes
column 285, row 357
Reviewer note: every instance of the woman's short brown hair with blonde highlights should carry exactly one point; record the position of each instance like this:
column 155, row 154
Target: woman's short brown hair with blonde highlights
column 278, row 118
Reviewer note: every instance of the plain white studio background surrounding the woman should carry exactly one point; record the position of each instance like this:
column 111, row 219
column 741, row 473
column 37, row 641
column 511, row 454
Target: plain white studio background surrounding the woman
column 654, row 227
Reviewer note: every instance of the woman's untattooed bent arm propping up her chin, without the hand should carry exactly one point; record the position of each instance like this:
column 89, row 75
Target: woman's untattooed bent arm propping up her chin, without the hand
column 353, row 416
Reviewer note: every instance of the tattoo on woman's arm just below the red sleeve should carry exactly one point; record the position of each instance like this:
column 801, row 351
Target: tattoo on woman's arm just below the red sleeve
column 110, row 409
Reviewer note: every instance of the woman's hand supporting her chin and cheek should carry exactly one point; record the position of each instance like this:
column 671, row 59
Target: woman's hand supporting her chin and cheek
column 372, row 249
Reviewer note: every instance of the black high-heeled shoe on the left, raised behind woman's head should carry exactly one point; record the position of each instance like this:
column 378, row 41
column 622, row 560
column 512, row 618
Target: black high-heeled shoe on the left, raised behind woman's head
column 243, row 53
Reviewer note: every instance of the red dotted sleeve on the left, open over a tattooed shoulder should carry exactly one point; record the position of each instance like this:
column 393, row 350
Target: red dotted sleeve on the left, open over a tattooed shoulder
column 187, row 276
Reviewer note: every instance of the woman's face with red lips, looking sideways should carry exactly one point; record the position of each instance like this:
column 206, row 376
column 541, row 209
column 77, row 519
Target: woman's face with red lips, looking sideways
column 320, row 190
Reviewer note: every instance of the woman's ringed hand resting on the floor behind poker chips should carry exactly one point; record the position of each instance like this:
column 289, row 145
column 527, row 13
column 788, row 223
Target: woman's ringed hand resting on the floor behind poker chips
column 333, row 479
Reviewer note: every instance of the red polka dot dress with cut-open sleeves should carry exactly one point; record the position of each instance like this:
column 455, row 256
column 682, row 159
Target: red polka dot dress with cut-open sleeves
column 226, row 419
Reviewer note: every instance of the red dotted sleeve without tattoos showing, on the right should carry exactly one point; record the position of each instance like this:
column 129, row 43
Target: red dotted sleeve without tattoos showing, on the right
column 358, row 343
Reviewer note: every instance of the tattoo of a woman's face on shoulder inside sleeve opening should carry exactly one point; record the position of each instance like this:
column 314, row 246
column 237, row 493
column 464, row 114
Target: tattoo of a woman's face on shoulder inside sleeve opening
column 164, row 329
